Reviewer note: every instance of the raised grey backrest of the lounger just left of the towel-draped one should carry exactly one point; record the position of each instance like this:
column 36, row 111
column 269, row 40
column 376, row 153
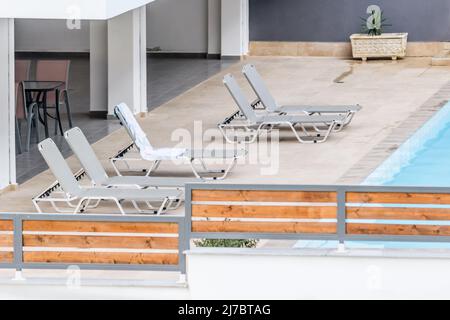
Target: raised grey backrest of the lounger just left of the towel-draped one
column 83, row 150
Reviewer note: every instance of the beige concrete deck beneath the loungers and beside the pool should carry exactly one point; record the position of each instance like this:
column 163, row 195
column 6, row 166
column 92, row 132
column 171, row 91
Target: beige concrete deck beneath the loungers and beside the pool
column 390, row 92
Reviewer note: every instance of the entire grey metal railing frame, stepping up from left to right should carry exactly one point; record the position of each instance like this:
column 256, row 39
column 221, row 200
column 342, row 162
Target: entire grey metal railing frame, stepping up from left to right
column 185, row 233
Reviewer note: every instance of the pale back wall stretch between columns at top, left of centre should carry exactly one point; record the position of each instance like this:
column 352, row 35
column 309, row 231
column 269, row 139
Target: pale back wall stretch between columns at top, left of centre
column 179, row 26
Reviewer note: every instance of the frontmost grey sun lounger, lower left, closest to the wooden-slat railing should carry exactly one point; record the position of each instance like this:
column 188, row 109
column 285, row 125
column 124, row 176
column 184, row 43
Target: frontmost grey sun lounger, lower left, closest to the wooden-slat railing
column 79, row 198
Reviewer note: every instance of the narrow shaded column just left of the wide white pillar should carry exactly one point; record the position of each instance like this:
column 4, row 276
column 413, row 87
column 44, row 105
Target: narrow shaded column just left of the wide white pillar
column 99, row 67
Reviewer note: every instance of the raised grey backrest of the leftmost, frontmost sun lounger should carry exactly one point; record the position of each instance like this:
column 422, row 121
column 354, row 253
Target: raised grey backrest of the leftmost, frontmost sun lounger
column 59, row 167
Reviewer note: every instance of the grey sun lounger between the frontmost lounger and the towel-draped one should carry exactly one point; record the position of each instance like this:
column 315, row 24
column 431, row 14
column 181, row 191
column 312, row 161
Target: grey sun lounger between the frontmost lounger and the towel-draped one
column 84, row 152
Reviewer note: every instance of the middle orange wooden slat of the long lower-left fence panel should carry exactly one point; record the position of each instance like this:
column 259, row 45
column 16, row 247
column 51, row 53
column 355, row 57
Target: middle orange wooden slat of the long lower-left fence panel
column 95, row 242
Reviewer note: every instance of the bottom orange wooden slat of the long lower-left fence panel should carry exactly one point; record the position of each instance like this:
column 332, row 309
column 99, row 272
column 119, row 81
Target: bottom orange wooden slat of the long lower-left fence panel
column 100, row 258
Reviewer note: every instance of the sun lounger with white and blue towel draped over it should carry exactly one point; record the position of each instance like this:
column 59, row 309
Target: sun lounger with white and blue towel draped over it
column 156, row 156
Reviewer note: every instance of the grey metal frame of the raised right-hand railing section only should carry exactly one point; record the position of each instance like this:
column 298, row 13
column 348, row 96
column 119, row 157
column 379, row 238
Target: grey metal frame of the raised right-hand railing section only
column 341, row 235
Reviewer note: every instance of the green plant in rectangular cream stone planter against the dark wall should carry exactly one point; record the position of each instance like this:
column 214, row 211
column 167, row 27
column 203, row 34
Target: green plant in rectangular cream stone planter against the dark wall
column 373, row 43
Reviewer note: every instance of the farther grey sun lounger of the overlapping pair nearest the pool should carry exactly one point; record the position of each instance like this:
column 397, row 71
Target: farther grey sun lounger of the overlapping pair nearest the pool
column 267, row 101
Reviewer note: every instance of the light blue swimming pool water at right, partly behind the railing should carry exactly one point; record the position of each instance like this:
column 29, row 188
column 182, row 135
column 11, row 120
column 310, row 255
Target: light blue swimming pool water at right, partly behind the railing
column 422, row 161
